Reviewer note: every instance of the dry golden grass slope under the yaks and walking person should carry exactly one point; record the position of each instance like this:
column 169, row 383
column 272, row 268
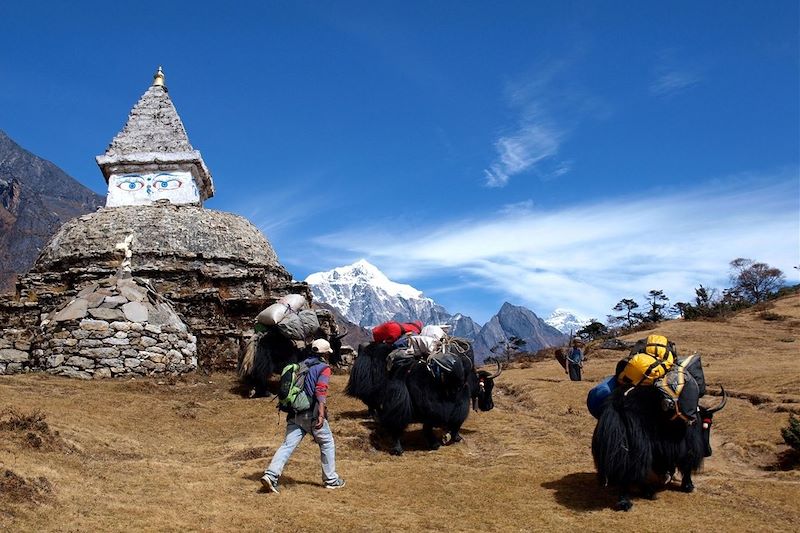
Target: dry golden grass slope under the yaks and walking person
column 178, row 455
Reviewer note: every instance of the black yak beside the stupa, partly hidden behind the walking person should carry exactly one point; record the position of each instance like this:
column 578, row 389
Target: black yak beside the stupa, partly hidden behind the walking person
column 268, row 352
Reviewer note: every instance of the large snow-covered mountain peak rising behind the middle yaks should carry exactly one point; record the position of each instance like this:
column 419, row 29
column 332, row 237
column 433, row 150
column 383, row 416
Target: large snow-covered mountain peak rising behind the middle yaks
column 365, row 296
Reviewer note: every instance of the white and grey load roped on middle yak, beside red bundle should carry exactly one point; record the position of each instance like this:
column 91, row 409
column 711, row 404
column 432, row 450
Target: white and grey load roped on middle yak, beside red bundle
column 430, row 344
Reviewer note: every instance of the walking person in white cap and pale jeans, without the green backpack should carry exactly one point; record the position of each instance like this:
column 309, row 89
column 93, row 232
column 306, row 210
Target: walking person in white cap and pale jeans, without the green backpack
column 313, row 420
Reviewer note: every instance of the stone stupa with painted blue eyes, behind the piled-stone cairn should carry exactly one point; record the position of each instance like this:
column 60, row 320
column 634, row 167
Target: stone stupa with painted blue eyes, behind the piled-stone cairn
column 216, row 269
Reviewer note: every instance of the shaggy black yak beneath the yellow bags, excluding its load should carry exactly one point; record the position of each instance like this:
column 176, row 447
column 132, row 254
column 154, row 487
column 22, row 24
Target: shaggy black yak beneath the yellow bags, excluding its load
column 635, row 442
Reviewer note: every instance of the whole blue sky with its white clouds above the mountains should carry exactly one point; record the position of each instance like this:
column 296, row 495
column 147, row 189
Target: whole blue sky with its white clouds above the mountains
column 549, row 154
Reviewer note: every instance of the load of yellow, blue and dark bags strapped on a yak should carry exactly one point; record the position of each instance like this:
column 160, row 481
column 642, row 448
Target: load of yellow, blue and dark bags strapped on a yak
column 654, row 362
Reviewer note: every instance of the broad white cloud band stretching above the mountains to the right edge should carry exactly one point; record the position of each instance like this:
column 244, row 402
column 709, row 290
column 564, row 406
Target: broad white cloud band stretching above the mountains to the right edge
column 587, row 257
